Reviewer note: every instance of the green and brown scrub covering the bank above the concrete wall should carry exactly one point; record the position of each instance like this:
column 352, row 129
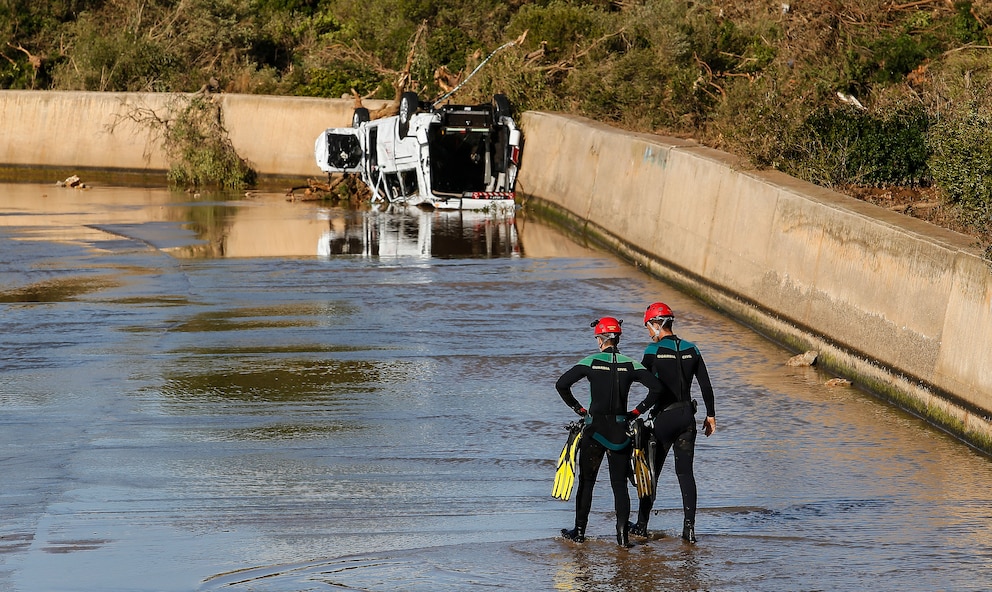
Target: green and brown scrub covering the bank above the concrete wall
column 864, row 93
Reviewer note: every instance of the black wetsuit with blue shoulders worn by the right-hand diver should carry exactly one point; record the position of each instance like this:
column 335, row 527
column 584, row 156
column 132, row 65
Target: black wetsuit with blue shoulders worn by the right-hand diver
column 674, row 419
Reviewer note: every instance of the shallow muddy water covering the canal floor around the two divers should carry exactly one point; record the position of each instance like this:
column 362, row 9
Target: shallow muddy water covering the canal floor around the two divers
column 254, row 394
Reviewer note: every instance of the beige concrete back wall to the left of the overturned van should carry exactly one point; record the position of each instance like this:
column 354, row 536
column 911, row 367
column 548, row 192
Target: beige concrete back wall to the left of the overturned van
column 92, row 130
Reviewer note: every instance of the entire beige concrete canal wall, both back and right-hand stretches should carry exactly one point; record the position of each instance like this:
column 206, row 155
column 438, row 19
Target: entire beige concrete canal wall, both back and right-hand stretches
column 901, row 306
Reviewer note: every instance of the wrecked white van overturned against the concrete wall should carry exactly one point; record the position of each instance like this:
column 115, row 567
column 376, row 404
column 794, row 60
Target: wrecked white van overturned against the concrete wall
column 449, row 157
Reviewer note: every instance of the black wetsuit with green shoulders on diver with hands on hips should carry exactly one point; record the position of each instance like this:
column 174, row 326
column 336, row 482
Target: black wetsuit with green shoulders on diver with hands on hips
column 610, row 377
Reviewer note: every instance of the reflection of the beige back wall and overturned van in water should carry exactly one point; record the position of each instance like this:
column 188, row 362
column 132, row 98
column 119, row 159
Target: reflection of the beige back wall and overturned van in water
column 239, row 226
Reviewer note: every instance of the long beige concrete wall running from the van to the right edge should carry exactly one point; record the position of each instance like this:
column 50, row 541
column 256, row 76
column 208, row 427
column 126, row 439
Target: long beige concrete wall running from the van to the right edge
column 898, row 305
